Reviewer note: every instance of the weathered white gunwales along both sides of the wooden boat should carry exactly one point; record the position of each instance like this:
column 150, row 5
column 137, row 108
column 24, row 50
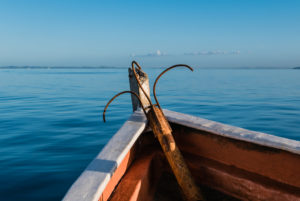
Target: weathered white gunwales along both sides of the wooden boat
column 91, row 183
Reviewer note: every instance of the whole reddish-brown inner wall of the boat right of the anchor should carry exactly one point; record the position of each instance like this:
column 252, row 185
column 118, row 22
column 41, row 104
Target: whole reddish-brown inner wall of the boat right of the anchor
column 244, row 170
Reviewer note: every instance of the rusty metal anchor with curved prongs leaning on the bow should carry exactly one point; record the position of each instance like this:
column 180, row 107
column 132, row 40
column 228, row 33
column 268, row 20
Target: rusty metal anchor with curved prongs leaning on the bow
column 162, row 130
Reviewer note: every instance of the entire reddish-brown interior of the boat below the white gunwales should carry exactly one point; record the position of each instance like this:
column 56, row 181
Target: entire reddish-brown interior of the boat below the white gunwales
column 220, row 166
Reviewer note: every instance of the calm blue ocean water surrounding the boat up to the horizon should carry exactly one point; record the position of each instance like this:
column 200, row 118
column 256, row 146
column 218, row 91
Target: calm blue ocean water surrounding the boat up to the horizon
column 51, row 126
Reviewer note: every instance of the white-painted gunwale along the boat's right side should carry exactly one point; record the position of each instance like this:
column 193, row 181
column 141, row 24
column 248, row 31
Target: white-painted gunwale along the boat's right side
column 233, row 132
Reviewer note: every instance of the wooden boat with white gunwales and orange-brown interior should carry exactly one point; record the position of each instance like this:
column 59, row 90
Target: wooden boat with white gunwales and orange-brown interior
column 229, row 163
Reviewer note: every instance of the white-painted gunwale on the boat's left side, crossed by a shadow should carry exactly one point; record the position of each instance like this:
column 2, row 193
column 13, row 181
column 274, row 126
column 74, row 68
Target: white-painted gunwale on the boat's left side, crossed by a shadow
column 91, row 183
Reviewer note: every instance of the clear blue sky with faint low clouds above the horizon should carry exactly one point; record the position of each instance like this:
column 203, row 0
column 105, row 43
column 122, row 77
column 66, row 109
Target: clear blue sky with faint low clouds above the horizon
column 155, row 33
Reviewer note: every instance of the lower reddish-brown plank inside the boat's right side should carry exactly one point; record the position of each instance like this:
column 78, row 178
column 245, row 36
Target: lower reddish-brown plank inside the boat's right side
column 239, row 183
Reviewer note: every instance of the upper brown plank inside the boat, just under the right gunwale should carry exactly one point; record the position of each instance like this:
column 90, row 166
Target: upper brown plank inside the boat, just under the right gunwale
column 275, row 164
